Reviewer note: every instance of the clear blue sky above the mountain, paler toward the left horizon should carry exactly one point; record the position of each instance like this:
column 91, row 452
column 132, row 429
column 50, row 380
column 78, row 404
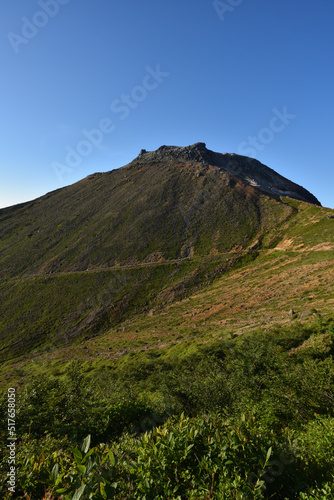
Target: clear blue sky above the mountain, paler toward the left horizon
column 86, row 84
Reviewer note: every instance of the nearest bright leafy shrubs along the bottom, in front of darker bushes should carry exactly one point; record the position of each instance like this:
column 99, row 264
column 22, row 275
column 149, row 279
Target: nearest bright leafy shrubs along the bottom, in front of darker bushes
column 206, row 457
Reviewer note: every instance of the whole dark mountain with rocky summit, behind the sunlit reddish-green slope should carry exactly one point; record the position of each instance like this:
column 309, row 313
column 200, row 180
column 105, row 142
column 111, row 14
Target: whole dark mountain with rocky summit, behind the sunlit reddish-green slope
column 80, row 261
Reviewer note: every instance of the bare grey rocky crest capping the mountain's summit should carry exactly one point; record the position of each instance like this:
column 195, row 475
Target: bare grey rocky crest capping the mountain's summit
column 249, row 170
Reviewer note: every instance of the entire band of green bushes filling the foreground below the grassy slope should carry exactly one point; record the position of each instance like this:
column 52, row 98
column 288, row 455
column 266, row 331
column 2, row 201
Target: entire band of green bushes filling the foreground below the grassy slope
column 245, row 418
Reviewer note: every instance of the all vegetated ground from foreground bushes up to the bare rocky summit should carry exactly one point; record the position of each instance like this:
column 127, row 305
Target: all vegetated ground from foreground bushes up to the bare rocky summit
column 169, row 330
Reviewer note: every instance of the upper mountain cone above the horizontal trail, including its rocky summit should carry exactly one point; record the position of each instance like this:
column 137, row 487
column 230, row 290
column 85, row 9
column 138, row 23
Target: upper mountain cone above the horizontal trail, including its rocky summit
column 168, row 204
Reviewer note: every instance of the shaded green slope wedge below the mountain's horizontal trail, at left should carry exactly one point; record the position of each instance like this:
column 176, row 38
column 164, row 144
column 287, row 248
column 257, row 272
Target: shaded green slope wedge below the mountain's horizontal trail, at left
column 43, row 312
